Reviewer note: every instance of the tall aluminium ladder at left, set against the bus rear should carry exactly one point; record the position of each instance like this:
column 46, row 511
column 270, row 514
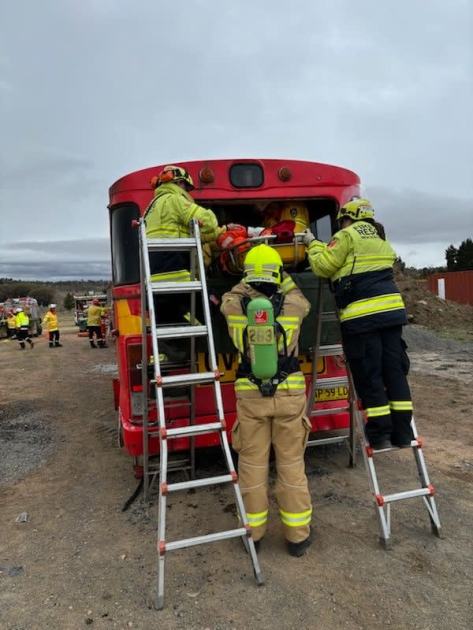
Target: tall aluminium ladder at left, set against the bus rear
column 197, row 284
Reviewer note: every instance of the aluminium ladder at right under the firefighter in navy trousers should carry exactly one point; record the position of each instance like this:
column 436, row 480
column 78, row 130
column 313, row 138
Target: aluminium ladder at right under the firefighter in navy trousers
column 358, row 419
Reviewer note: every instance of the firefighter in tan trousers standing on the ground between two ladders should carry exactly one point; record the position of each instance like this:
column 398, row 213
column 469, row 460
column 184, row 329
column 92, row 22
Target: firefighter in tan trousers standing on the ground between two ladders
column 271, row 411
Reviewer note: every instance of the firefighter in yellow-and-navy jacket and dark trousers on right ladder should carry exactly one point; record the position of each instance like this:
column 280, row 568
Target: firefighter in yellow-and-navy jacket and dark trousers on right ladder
column 359, row 262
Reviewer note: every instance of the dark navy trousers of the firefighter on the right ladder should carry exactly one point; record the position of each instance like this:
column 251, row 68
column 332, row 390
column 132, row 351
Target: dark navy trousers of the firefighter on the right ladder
column 379, row 364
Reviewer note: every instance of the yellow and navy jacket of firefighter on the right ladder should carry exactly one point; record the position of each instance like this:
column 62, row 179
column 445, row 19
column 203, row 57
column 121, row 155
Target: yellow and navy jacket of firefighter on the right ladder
column 360, row 265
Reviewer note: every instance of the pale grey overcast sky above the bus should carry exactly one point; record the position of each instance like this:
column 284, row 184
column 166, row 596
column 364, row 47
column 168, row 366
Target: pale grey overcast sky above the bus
column 93, row 89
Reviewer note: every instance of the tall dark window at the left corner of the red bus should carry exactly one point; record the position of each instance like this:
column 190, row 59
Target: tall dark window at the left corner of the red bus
column 125, row 257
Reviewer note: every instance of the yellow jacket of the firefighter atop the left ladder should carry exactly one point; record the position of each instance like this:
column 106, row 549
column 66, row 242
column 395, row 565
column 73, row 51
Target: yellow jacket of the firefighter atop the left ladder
column 169, row 216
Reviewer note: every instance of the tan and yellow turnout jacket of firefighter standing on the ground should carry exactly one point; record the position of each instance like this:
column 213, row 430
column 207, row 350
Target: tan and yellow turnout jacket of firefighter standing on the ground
column 290, row 309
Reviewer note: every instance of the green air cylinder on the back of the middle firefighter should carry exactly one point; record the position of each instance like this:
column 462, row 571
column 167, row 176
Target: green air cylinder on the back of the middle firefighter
column 262, row 341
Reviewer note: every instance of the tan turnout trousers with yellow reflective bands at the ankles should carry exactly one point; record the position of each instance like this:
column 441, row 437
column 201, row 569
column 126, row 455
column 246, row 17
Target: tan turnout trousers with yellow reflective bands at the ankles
column 279, row 421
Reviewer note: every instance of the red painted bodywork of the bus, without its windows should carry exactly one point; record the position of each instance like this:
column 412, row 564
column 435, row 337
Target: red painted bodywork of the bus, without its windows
column 309, row 181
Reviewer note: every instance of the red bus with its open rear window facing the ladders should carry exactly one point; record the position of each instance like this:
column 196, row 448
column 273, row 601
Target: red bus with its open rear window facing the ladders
column 237, row 191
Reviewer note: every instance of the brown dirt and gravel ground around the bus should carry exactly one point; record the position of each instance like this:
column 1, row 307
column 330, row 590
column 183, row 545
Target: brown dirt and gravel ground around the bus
column 78, row 560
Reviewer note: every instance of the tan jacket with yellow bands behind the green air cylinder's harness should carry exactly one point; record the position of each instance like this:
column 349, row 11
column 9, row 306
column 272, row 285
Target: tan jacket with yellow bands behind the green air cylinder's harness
column 294, row 308
